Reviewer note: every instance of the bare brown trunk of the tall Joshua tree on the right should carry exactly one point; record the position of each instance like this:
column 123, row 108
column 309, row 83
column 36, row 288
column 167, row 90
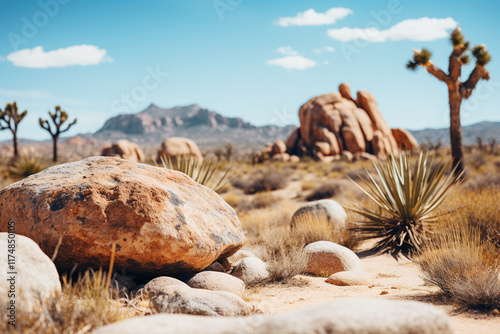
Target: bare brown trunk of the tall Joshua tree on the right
column 456, row 128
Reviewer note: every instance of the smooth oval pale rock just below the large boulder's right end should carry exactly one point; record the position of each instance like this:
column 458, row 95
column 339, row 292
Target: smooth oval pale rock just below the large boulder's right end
column 217, row 281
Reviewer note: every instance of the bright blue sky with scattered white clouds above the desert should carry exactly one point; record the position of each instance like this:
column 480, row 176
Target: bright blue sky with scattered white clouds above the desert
column 258, row 60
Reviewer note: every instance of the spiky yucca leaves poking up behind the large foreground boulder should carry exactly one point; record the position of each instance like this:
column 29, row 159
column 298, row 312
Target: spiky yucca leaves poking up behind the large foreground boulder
column 208, row 173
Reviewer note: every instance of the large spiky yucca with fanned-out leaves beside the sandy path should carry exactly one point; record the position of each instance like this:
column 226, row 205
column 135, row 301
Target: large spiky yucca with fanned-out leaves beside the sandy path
column 406, row 198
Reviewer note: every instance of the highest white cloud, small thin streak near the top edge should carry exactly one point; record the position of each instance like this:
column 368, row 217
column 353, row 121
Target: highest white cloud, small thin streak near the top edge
column 311, row 18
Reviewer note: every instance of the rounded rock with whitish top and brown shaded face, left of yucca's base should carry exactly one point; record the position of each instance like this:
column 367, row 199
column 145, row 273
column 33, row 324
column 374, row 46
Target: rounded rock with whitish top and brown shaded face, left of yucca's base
column 327, row 258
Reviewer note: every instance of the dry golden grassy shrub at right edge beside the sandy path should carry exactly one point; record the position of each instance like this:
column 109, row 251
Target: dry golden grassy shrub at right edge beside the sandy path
column 463, row 266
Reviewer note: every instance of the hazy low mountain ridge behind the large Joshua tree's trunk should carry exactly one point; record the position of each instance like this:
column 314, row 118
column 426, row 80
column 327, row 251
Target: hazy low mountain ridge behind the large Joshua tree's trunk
column 487, row 130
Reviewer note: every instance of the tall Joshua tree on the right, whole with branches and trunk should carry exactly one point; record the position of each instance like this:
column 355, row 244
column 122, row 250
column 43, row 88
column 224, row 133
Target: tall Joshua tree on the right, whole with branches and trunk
column 457, row 90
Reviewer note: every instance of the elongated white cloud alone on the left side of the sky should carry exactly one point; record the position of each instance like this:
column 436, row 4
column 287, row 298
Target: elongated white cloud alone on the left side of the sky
column 82, row 55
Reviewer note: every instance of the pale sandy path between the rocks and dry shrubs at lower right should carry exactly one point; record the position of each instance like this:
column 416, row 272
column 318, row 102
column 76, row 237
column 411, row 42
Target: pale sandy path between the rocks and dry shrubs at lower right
column 399, row 279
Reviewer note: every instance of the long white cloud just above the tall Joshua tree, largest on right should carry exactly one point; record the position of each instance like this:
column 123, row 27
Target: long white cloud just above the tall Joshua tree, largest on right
column 422, row 29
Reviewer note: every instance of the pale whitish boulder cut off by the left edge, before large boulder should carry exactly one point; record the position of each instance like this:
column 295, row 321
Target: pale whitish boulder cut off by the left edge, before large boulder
column 26, row 273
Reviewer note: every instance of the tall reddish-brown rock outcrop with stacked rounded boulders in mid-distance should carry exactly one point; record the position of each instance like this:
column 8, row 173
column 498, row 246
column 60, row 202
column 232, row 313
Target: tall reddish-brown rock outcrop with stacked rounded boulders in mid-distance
column 333, row 123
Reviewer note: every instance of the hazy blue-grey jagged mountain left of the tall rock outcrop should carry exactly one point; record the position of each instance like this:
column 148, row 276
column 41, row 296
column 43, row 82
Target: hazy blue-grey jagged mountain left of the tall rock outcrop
column 207, row 128
